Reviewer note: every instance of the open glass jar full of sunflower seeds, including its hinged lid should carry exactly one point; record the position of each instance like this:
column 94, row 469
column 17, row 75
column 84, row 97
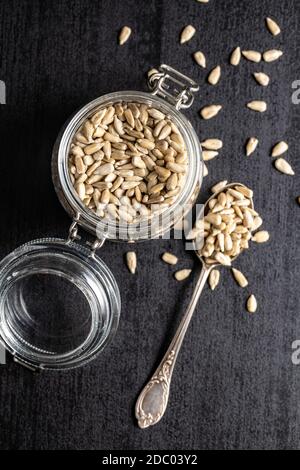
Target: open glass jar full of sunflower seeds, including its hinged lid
column 126, row 166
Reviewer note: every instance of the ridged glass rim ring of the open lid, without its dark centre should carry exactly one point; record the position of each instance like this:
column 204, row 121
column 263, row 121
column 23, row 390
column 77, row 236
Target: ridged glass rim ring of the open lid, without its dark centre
column 88, row 274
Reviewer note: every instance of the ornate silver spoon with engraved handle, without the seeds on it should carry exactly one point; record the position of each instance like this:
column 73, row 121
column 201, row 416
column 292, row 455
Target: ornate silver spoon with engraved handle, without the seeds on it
column 153, row 400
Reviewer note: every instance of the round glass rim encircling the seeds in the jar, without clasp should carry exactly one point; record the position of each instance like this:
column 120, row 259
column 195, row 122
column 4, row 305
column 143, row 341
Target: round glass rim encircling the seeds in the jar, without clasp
column 117, row 230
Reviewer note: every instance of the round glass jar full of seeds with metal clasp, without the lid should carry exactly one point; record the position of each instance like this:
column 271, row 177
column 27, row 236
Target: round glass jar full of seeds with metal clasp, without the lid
column 129, row 164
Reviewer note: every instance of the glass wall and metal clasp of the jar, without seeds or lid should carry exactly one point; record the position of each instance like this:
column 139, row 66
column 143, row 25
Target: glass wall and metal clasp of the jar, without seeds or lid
column 171, row 91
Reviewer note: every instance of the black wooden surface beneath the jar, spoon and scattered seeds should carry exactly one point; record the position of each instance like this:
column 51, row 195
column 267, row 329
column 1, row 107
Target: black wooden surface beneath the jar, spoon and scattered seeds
column 234, row 386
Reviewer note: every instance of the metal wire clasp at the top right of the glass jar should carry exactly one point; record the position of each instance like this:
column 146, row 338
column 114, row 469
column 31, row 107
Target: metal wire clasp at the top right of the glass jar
column 173, row 86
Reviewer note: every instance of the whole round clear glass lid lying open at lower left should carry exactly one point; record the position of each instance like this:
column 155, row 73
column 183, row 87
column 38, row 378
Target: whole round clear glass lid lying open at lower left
column 59, row 304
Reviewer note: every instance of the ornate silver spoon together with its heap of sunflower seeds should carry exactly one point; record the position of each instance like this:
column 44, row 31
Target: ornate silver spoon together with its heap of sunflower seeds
column 220, row 235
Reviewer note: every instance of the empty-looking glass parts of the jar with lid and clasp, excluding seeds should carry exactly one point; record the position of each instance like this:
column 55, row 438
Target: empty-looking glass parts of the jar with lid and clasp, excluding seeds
column 59, row 303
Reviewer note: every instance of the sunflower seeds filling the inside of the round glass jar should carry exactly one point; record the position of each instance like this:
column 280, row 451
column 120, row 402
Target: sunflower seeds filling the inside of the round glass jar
column 127, row 161
